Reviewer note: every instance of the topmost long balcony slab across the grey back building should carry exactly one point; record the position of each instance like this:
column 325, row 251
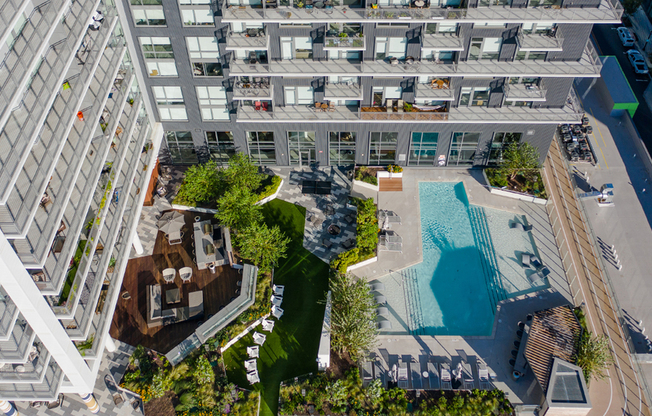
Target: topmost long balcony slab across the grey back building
column 609, row 11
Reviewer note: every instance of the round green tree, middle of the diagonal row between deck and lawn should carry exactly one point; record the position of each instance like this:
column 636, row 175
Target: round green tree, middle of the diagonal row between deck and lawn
column 236, row 209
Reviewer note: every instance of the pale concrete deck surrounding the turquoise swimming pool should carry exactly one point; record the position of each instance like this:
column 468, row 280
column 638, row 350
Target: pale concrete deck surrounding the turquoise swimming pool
column 494, row 350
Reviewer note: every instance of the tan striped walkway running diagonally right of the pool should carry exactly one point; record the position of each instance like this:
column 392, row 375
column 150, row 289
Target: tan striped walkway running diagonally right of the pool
column 622, row 392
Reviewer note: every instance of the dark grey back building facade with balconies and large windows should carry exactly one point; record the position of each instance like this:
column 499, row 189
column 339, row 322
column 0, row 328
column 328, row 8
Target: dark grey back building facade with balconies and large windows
column 411, row 82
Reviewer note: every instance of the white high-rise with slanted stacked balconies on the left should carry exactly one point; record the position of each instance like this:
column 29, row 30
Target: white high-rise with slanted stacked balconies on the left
column 77, row 148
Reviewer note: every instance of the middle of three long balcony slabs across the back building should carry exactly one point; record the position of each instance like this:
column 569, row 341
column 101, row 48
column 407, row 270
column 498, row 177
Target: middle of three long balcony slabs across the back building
column 588, row 66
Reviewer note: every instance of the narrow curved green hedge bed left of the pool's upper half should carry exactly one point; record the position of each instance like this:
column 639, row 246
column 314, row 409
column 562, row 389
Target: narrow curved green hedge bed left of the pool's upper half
column 366, row 239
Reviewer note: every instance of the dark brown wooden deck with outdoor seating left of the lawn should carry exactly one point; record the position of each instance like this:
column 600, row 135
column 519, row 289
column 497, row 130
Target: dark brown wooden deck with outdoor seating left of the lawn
column 129, row 324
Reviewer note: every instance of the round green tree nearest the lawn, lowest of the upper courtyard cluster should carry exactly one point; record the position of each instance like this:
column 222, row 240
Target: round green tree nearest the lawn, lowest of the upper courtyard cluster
column 262, row 245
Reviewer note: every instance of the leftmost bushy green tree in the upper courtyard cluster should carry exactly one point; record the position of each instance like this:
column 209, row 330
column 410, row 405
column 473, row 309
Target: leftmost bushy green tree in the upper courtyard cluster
column 201, row 184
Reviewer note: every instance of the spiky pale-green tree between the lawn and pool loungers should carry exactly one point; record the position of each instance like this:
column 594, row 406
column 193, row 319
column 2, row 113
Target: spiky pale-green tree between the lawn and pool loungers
column 353, row 313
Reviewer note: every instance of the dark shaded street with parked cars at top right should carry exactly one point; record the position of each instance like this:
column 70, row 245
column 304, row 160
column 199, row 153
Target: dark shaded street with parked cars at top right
column 608, row 43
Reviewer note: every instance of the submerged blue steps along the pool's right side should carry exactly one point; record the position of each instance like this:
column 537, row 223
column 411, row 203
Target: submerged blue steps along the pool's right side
column 484, row 242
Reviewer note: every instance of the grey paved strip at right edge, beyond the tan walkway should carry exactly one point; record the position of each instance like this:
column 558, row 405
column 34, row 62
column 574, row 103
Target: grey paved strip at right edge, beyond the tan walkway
column 622, row 161
